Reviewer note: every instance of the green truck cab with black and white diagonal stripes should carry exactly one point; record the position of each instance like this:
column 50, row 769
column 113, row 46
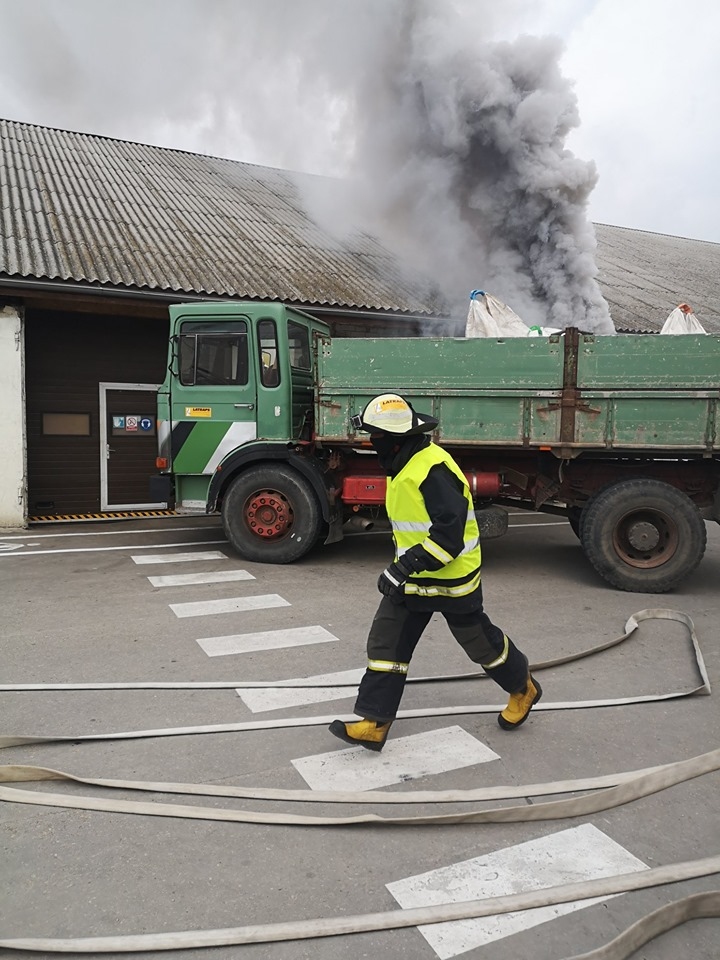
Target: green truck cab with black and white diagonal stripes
column 238, row 390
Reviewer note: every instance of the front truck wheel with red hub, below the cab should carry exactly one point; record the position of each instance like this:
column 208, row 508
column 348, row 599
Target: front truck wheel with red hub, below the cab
column 271, row 515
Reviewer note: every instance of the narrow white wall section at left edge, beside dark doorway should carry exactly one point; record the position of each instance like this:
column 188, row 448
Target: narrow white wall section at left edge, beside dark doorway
column 12, row 418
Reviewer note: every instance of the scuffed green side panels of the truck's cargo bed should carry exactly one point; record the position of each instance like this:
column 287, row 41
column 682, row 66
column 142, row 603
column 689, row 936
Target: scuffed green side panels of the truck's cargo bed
column 644, row 393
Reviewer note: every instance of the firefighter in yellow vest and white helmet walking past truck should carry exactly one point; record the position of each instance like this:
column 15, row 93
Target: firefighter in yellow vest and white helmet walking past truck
column 436, row 569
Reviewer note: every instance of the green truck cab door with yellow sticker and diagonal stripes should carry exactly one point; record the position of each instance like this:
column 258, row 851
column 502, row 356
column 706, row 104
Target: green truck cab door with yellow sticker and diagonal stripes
column 213, row 399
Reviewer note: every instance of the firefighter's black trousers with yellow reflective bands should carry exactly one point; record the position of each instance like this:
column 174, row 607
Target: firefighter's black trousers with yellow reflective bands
column 395, row 633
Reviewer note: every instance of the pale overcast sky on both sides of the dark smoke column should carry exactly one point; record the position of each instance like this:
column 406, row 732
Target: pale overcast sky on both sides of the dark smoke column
column 178, row 73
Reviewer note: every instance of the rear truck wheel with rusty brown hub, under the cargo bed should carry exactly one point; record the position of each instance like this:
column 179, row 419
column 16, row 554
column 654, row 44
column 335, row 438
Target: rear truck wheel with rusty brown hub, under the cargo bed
column 643, row 535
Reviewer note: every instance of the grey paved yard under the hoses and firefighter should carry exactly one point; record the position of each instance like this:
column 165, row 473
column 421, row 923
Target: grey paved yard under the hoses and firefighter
column 77, row 606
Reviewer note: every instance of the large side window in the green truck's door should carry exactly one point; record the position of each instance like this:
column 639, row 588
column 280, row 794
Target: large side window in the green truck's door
column 213, row 353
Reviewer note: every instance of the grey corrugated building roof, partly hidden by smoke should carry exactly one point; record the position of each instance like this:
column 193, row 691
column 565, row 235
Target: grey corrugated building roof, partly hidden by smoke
column 92, row 209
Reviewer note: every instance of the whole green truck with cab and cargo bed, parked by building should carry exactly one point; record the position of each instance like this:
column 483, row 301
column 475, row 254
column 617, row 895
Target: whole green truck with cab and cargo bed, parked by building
column 620, row 434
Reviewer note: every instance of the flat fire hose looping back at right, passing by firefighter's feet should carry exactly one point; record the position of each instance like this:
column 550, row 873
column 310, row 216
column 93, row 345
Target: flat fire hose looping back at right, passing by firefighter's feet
column 630, row 627
